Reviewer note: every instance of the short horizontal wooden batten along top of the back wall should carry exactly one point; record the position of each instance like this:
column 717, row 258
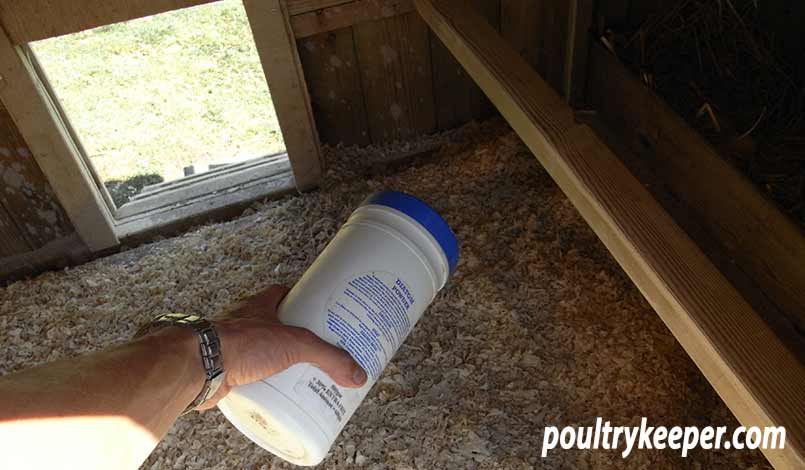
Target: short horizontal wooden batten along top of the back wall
column 348, row 14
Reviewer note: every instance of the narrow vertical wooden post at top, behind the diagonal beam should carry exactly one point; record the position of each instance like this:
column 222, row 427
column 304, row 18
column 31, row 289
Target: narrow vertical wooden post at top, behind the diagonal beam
column 580, row 17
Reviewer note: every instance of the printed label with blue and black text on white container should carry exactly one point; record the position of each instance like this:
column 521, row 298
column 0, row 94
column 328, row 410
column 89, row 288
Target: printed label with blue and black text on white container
column 369, row 316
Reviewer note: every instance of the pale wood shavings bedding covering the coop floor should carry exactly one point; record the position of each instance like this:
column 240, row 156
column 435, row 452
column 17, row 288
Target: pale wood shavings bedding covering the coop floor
column 539, row 326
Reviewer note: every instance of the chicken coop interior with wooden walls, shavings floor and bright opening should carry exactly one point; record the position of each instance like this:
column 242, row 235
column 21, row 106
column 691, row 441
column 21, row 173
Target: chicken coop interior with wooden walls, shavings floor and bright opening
column 626, row 180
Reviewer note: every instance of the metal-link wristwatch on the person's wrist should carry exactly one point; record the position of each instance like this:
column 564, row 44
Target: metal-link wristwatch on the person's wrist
column 209, row 347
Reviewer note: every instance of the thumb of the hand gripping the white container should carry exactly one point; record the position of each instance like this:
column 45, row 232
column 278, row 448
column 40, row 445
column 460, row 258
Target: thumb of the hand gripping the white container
column 334, row 361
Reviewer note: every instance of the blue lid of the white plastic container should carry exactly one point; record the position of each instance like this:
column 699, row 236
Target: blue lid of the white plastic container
column 425, row 215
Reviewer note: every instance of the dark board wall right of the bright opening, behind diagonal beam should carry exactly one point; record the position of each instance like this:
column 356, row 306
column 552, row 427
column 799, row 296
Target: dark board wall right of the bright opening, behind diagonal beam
column 381, row 75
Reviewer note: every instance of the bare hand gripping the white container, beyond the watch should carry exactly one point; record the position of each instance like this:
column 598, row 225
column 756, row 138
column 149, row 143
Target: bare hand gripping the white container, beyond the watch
column 255, row 345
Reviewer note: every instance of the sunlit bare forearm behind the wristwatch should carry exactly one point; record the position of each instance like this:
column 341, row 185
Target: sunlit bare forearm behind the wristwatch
column 103, row 410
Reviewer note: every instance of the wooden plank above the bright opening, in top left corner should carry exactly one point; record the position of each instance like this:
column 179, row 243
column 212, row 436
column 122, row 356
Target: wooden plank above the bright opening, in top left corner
column 32, row 20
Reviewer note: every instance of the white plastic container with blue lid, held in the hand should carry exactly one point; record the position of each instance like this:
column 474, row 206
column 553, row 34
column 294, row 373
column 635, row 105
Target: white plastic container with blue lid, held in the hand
column 364, row 293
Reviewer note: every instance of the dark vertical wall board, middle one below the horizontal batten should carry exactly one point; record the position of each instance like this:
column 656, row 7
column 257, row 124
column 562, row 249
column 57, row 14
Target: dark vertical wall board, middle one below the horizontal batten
column 395, row 66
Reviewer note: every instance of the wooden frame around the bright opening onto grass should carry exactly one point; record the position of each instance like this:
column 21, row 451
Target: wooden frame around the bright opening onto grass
column 60, row 155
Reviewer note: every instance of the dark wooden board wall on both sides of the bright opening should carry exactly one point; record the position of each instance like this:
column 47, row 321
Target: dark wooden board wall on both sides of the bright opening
column 374, row 71
